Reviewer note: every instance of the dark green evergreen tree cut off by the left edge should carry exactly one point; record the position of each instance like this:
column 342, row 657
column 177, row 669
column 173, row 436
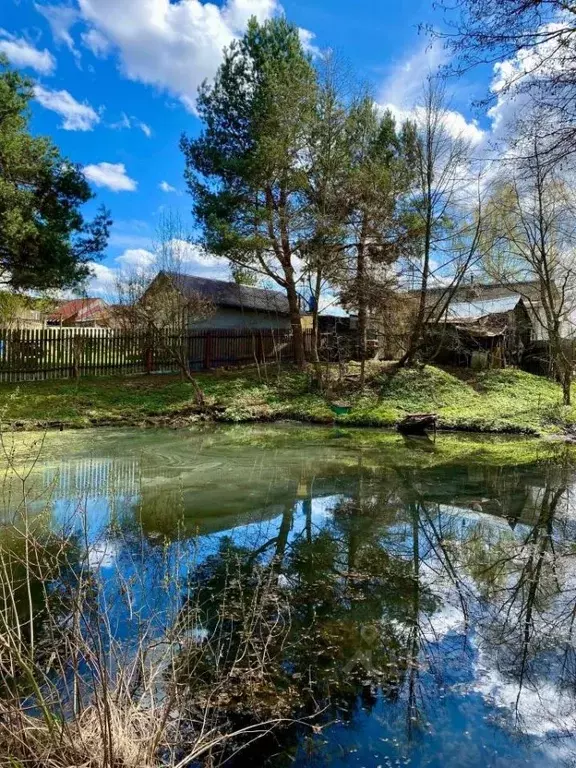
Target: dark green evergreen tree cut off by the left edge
column 44, row 240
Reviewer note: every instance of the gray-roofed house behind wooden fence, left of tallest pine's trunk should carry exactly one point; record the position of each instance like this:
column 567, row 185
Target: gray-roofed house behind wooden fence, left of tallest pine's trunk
column 232, row 305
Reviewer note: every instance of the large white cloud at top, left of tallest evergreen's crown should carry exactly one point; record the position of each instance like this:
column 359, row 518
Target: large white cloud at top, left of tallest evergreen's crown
column 173, row 46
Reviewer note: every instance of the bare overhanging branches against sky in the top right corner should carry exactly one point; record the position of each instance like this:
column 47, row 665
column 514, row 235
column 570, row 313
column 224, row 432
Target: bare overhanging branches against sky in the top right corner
column 536, row 40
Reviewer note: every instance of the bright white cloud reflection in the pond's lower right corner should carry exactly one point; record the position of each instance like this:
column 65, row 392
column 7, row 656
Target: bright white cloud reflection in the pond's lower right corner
column 537, row 707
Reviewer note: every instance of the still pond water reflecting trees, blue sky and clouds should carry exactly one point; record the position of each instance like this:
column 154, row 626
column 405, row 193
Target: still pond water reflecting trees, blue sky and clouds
column 431, row 587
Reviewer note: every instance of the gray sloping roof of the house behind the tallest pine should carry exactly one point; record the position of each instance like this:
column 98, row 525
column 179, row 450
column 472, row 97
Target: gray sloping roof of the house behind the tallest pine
column 225, row 294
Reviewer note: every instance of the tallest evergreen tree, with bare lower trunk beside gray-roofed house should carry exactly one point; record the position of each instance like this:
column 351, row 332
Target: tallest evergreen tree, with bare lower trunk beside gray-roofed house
column 247, row 171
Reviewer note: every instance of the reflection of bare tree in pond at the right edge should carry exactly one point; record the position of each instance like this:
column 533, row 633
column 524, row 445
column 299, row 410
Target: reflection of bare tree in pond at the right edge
column 528, row 584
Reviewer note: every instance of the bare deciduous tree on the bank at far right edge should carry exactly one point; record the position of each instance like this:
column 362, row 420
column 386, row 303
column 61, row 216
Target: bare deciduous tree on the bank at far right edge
column 532, row 233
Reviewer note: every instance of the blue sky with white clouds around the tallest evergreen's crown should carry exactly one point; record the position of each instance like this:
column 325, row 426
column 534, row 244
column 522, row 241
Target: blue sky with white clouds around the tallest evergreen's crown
column 116, row 81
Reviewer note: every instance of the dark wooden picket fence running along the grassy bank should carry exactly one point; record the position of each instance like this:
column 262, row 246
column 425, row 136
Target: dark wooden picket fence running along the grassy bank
column 47, row 353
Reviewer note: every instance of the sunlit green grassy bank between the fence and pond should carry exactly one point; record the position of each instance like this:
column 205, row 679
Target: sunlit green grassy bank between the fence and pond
column 504, row 401
